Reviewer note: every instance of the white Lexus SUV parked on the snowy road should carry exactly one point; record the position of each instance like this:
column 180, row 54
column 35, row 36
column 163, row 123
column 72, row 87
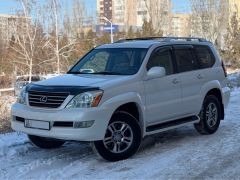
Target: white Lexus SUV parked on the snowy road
column 119, row 93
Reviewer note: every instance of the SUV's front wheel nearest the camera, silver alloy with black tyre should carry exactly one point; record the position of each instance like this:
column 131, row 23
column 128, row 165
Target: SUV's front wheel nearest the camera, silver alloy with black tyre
column 122, row 138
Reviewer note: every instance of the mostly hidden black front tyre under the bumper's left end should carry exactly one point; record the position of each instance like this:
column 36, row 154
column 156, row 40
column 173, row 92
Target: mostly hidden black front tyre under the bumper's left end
column 45, row 143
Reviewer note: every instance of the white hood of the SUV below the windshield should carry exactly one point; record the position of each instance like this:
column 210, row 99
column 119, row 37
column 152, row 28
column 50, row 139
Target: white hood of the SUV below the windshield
column 79, row 80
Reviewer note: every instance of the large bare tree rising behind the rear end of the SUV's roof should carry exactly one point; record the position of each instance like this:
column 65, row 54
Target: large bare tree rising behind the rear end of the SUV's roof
column 209, row 19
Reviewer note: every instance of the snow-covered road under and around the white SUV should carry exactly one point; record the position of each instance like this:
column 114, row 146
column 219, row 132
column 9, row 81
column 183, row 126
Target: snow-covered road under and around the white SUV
column 176, row 154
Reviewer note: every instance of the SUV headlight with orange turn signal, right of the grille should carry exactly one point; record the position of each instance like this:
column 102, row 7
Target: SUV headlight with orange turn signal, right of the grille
column 86, row 100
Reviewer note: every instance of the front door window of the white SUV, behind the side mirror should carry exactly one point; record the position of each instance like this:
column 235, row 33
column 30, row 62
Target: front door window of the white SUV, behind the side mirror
column 161, row 58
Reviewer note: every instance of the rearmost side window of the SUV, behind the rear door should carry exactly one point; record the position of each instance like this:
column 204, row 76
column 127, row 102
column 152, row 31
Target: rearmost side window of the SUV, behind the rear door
column 205, row 56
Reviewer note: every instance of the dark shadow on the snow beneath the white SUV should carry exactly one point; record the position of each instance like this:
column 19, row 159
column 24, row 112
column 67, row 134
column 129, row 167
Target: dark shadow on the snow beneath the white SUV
column 73, row 150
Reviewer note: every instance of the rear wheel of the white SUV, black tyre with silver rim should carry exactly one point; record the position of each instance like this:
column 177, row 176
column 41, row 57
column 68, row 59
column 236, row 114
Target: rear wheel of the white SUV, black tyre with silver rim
column 210, row 116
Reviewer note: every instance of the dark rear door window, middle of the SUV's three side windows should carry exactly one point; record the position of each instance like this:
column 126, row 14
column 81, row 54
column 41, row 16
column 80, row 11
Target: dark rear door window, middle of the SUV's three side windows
column 185, row 59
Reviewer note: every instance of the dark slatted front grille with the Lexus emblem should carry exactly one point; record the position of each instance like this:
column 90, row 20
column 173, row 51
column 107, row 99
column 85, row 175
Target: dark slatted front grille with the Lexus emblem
column 46, row 99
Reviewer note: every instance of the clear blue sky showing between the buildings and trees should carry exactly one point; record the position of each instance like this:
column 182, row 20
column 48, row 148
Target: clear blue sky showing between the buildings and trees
column 8, row 6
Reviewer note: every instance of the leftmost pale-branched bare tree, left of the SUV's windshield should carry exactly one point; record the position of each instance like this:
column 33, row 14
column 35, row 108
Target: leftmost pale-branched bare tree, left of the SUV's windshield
column 24, row 36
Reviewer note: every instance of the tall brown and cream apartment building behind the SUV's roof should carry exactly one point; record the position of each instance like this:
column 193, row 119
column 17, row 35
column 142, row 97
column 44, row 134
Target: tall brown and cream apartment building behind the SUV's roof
column 128, row 13
